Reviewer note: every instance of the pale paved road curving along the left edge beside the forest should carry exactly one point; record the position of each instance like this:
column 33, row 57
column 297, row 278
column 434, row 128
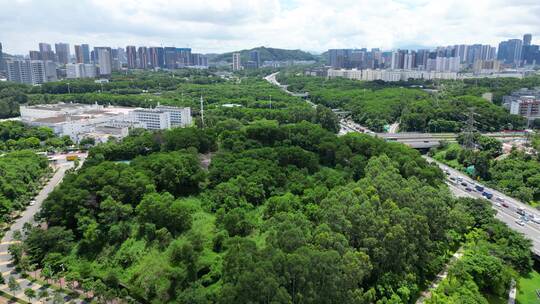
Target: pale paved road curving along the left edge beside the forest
column 6, row 267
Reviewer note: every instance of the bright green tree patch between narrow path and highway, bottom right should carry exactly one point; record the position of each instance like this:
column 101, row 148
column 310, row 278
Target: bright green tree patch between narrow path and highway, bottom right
column 492, row 255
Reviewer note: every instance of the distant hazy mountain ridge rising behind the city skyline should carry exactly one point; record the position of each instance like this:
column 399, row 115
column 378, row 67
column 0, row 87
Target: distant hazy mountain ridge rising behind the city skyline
column 267, row 54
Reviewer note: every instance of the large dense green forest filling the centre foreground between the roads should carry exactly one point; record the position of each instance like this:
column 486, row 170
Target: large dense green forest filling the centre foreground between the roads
column 286, row 213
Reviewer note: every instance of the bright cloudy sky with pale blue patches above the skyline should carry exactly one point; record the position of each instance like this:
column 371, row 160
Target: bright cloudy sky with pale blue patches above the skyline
column 226, row 25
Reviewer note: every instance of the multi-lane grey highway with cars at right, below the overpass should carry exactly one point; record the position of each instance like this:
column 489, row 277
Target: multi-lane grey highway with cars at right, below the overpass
column 508, row 215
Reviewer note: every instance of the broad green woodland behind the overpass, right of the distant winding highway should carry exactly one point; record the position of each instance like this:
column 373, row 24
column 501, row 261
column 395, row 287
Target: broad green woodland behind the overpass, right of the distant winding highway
column 375, row 104
